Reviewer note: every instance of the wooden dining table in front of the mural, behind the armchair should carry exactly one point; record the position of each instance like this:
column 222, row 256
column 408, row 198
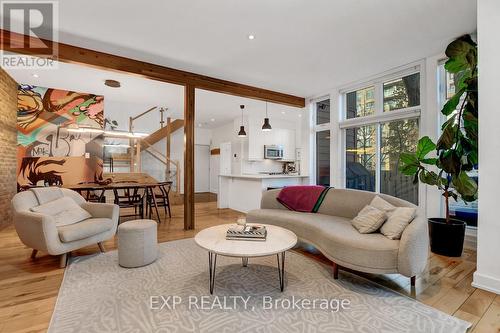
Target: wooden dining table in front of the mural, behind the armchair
column 124, row 185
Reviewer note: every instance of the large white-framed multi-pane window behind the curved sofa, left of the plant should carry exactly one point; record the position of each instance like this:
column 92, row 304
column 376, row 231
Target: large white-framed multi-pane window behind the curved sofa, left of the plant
column 380, row 123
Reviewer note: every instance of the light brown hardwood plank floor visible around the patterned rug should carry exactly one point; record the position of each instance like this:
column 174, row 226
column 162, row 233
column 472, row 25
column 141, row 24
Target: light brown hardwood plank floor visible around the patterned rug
column 28, row 288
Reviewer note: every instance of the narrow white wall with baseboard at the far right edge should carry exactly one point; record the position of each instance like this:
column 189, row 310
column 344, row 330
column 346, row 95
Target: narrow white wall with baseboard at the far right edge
column 487, row 275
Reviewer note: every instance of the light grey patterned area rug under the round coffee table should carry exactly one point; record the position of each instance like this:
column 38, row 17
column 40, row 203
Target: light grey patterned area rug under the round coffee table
column 171, row 295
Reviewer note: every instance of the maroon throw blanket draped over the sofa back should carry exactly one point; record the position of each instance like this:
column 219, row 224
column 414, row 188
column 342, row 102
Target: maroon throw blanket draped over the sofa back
column 302, row 198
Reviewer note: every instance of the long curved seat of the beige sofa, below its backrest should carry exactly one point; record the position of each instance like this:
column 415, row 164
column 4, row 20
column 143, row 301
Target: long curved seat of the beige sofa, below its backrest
column 335, row 237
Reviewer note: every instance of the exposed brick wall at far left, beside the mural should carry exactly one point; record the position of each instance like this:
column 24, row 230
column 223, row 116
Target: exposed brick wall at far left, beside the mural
column 8, row 145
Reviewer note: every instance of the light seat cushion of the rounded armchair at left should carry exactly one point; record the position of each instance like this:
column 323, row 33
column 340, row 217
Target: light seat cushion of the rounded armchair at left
column 84, row 229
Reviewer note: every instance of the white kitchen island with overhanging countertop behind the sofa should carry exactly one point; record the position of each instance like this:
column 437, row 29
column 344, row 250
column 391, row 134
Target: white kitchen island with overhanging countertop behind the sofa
column 244, row 192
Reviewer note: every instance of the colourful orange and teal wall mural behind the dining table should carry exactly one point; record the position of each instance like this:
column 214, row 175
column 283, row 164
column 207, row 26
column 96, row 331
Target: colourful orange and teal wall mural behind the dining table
column 46, row 149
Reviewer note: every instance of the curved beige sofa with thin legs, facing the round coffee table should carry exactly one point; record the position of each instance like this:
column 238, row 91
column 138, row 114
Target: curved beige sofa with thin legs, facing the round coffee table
column 331, row 232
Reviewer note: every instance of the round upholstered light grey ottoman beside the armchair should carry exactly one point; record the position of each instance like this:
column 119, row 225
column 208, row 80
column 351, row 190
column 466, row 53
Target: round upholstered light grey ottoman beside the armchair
column 137, row 243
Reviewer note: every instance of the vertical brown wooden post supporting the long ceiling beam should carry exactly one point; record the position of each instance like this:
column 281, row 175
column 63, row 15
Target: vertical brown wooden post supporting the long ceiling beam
column 189, row 101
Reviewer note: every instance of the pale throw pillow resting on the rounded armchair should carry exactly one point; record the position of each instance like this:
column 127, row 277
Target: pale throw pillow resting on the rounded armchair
column 64, row 211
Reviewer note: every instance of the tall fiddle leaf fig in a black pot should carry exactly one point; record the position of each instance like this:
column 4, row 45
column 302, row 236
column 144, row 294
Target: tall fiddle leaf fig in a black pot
column 447, row 163
